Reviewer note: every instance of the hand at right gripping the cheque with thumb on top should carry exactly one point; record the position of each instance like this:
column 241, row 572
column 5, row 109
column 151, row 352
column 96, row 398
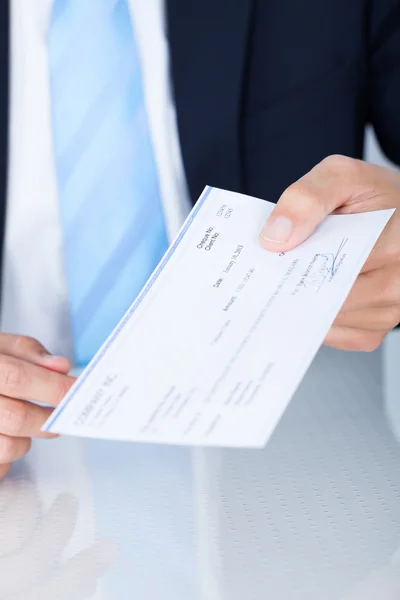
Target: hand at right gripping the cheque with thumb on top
column 342, row 185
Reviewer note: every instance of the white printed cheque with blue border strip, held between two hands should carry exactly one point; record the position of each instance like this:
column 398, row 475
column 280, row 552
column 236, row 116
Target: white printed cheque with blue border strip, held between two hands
column 214, row 347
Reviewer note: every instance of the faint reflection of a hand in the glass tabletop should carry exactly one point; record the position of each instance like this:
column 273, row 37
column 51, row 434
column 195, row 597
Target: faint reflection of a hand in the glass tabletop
column 33, row 541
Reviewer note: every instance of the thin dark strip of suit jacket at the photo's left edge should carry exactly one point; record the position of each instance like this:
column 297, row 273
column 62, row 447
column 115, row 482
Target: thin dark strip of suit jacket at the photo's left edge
column 4, row 102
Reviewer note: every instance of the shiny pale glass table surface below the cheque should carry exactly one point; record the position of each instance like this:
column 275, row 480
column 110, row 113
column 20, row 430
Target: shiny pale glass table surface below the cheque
column 316, row 514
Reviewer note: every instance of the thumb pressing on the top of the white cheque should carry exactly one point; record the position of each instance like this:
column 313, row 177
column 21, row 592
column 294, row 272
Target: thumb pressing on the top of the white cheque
column 304, row 205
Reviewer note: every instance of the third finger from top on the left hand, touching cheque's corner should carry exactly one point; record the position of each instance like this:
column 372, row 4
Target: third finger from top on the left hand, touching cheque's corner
column 23, row 419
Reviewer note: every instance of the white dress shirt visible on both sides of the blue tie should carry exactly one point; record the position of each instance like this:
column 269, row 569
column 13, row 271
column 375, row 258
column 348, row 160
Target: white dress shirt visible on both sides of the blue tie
column 34, row 294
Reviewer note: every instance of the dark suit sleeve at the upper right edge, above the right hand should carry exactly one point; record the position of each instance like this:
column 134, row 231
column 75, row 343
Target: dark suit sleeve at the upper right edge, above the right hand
column 383, row 110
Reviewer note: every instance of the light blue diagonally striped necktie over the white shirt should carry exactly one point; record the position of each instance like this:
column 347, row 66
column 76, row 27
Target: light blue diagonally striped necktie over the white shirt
column 113, row 225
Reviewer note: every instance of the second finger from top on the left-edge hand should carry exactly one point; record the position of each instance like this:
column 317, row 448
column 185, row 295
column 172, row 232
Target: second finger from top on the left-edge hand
column 25, row 381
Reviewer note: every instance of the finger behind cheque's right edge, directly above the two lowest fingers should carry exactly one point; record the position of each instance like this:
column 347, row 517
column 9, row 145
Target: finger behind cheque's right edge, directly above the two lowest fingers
column 380, row 288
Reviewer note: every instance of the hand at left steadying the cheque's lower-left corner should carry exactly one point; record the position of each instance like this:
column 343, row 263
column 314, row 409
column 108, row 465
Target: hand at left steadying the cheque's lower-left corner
column 28, row 373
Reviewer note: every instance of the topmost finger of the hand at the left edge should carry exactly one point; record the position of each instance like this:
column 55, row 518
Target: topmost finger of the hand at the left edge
column 30, row 350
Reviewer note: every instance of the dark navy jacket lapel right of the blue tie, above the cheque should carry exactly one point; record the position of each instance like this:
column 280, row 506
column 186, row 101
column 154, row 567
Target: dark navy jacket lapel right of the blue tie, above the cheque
column 208, row 44
